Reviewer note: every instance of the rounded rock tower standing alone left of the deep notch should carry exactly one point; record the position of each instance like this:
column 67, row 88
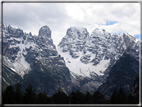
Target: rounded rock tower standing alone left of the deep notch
column 45, row 31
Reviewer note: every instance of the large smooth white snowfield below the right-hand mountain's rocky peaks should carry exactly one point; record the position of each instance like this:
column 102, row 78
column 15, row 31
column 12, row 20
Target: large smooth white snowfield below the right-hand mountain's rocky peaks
column 81, row 69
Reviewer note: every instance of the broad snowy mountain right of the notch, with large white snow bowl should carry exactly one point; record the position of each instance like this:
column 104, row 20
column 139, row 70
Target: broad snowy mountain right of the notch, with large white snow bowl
column 92, row 56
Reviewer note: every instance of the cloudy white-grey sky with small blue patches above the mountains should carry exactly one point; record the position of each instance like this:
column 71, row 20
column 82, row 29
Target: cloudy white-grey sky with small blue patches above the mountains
column 113, row 17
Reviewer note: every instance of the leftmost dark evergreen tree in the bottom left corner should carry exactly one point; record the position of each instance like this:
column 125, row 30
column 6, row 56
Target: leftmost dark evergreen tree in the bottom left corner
column 8, row 96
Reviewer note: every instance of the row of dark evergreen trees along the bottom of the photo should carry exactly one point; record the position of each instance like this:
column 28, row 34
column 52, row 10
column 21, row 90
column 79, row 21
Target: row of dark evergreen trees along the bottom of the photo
column 16, row 96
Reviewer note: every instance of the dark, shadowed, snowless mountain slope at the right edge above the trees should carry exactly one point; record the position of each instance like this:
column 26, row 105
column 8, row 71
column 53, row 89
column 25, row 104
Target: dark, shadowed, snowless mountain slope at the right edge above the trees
column 122, row 75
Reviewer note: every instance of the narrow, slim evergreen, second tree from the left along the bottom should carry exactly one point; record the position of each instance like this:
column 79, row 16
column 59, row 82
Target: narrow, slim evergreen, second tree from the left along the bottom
column 18, row 94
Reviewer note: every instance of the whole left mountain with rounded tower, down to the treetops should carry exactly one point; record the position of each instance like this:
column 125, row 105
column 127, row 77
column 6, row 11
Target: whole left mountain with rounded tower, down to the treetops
column 25, row 54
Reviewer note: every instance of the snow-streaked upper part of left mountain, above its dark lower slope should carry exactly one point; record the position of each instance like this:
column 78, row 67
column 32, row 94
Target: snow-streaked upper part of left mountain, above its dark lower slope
column 20, row 48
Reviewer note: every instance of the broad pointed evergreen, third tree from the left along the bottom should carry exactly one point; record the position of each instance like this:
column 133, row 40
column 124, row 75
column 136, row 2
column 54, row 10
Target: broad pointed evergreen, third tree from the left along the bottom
column 29, row 96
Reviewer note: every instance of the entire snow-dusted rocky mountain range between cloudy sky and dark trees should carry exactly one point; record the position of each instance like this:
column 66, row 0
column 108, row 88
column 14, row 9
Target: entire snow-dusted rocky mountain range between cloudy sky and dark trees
column 81, row 61
